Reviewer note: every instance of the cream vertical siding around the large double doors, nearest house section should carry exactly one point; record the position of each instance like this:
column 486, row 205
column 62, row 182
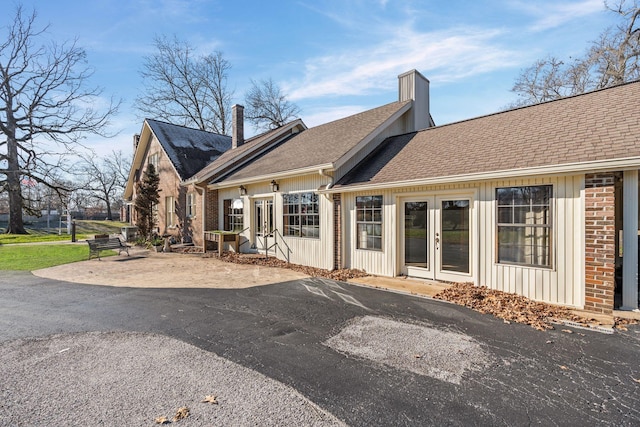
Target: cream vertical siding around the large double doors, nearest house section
column 563, row 283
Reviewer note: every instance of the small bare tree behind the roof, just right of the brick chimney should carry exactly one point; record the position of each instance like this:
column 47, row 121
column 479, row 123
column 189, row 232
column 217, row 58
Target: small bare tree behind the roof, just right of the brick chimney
column 267, row 106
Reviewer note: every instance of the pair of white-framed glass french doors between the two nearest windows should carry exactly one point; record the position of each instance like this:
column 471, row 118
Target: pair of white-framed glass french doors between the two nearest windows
column 435, row 237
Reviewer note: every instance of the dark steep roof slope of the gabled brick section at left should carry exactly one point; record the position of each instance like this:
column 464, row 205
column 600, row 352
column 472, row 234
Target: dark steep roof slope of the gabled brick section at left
column 189, row 149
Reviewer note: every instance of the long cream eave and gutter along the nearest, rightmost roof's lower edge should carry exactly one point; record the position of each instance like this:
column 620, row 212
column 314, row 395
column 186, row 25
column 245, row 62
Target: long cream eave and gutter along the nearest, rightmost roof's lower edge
column 593, row 166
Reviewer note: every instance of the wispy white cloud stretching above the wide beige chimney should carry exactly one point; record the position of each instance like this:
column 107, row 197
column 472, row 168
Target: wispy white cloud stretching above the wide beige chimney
column 450, row 55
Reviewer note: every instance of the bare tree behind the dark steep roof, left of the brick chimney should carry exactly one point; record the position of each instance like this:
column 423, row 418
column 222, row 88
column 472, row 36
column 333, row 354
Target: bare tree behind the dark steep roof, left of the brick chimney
column 185, row 89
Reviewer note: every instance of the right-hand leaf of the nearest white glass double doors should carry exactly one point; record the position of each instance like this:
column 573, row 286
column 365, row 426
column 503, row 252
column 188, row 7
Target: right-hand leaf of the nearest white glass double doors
column 452, row 239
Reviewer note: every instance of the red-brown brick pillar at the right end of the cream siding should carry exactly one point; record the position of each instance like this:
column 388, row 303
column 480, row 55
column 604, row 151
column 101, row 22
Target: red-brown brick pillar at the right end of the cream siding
column 600, row 236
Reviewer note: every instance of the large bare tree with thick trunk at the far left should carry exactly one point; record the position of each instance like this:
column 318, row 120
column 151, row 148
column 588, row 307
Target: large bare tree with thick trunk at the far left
column 45, row 109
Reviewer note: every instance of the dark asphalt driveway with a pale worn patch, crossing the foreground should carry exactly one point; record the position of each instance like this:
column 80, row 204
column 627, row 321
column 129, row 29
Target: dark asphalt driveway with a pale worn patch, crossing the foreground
column 367, row 357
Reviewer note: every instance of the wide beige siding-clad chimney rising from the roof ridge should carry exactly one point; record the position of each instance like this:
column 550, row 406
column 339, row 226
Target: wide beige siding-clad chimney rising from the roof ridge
column 413, row 85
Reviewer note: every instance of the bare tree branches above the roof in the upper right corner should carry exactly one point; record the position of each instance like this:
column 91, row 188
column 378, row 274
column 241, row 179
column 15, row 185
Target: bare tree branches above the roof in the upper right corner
column 612, row 59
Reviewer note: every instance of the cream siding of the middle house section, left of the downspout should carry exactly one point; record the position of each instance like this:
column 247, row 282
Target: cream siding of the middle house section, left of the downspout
column 297, row 250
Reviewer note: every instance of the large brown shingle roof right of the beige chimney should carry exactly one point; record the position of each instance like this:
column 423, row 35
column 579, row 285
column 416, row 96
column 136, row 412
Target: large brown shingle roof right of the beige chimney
column 601, row 125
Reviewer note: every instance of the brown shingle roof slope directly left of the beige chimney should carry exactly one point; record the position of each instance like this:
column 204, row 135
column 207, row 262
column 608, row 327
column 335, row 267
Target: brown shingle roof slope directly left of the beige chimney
column 319, row 145
